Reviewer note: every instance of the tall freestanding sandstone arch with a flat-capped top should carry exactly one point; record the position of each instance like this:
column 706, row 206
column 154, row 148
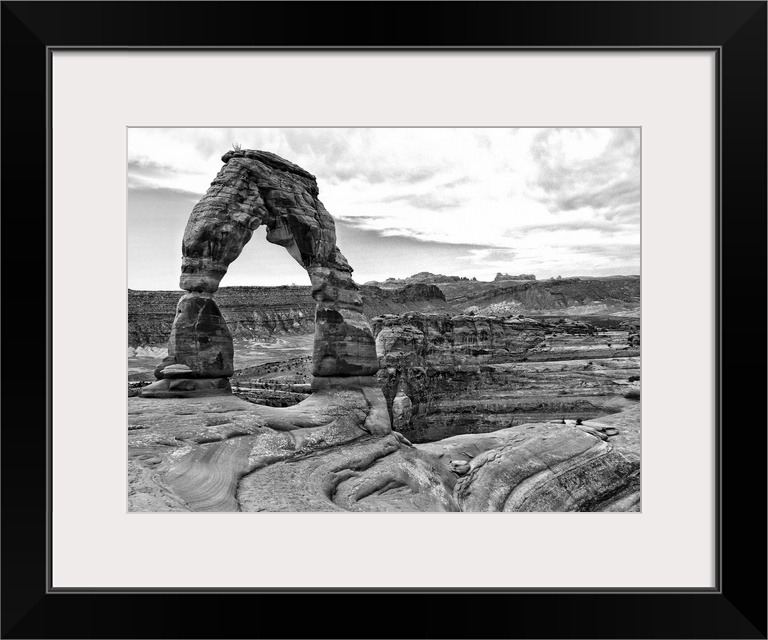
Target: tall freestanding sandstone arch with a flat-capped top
column 257, row 188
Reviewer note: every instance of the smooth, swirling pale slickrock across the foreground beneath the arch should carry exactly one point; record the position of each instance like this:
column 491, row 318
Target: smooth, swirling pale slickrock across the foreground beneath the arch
column 333, row 452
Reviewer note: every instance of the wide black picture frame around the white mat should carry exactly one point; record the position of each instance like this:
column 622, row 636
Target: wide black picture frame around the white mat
column 735, row 608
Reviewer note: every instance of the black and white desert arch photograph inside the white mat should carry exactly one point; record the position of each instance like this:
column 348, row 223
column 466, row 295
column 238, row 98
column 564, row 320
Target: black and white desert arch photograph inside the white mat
column 384, row 319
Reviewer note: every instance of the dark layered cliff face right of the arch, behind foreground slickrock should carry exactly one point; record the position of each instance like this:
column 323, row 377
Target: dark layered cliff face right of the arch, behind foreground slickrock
column 444, row 375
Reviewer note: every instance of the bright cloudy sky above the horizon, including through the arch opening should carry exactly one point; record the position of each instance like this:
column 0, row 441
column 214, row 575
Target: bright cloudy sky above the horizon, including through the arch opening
column 467, row 202
